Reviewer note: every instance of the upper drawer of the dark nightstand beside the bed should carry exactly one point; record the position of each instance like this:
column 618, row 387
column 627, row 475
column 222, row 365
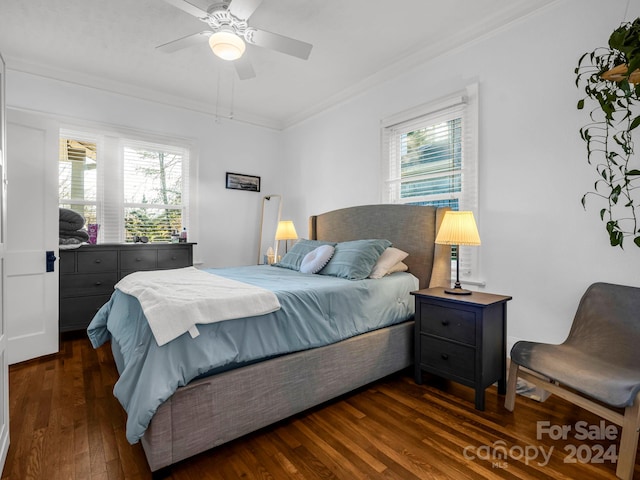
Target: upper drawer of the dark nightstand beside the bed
column 449, row 323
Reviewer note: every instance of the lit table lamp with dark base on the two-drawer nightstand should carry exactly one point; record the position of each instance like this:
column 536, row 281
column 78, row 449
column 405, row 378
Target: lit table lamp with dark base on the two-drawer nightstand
column 458, row 228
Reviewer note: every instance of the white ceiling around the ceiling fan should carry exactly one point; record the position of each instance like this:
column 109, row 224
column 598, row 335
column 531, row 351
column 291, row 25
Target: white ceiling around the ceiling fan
column 110, row 44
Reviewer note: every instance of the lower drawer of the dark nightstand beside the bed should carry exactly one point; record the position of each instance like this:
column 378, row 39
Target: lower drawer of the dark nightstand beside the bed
column 448, row 358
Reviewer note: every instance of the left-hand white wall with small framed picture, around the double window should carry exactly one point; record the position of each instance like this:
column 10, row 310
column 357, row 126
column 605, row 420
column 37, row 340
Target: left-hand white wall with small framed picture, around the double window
column 227, row 230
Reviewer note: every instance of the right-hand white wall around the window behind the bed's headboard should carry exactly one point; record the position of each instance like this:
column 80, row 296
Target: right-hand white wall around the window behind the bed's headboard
column 539, row 245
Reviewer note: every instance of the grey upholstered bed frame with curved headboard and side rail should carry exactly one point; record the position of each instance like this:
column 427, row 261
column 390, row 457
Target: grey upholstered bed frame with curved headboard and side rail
column 214, row 410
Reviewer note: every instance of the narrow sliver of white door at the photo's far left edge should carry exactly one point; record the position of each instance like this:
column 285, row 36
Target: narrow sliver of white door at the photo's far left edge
column 4, row 369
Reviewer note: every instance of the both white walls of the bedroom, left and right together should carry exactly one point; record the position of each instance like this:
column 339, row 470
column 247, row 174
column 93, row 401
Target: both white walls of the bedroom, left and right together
column 539, row 245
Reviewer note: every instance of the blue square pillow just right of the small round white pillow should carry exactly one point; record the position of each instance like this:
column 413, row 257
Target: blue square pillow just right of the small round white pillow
column 354, row 260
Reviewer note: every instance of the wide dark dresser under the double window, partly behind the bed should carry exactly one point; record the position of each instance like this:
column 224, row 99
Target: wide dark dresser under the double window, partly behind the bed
column 88, row 274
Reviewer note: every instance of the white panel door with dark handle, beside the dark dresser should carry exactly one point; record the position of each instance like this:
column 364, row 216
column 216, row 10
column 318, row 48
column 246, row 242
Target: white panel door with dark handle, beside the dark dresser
column 31, row 302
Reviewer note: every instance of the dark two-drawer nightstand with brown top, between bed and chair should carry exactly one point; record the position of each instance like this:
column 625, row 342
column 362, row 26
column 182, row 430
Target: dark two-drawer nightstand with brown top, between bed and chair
column 462, row 338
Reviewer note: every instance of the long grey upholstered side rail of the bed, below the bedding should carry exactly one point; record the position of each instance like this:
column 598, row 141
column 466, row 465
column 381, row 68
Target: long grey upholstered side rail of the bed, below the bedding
column 214, row 410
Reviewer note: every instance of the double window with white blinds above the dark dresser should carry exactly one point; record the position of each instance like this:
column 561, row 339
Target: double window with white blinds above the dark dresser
column 130, row 188
